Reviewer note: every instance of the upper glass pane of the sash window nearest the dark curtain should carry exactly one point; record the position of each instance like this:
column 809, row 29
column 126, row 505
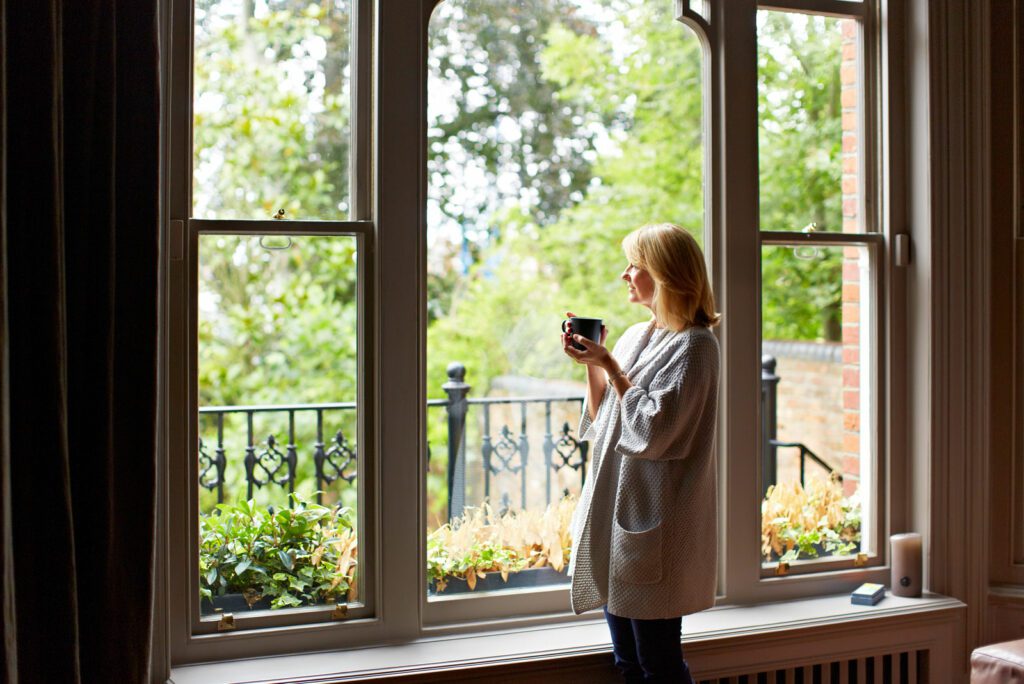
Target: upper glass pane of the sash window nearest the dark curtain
column 272, row 109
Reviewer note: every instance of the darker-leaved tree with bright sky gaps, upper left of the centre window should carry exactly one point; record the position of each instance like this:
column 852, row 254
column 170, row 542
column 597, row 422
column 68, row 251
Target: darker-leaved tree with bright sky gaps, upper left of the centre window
column 499, row 138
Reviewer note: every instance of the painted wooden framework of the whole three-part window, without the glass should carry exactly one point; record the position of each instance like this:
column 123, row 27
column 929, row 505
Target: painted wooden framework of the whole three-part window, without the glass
column 390, row 215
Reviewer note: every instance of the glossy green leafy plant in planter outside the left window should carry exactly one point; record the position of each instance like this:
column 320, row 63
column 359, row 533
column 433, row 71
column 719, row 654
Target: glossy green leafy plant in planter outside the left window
column 300, row 557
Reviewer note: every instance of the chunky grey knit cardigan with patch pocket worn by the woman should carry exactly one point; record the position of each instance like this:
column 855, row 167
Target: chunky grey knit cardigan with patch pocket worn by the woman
column 645, row 533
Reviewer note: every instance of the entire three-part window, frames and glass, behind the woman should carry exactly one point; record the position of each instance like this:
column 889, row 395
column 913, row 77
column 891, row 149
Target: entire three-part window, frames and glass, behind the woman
column 383, row 212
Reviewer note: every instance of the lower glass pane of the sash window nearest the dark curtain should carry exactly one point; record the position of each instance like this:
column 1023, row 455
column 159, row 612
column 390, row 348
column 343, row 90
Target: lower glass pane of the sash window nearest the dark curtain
column 278, row 450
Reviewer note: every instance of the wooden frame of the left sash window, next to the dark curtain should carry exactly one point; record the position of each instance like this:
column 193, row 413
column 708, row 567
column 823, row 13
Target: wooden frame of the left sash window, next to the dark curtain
column 193, row 637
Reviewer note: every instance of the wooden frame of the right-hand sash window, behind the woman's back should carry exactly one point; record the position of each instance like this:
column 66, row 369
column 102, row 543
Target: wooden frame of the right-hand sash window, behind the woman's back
column 746, row 581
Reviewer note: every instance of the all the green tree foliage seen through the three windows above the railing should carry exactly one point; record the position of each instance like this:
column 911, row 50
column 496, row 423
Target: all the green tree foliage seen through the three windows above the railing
column 554, row 129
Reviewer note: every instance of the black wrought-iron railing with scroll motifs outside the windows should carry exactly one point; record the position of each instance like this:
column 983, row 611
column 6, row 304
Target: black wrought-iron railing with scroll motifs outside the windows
column 503, row 452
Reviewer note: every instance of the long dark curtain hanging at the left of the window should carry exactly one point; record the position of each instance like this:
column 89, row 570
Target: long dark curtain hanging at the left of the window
column 80, row 212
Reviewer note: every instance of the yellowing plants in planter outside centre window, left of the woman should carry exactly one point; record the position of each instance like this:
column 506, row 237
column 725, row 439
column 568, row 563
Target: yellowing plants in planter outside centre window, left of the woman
column 481, row 542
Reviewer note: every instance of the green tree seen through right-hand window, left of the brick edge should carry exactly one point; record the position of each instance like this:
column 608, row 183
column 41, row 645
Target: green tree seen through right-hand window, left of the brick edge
column 800, row 151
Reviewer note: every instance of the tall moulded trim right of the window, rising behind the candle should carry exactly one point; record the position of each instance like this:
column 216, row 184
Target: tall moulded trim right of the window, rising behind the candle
column 951, row 297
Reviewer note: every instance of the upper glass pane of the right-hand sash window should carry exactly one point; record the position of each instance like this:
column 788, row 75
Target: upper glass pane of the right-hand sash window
column 809, row 81
